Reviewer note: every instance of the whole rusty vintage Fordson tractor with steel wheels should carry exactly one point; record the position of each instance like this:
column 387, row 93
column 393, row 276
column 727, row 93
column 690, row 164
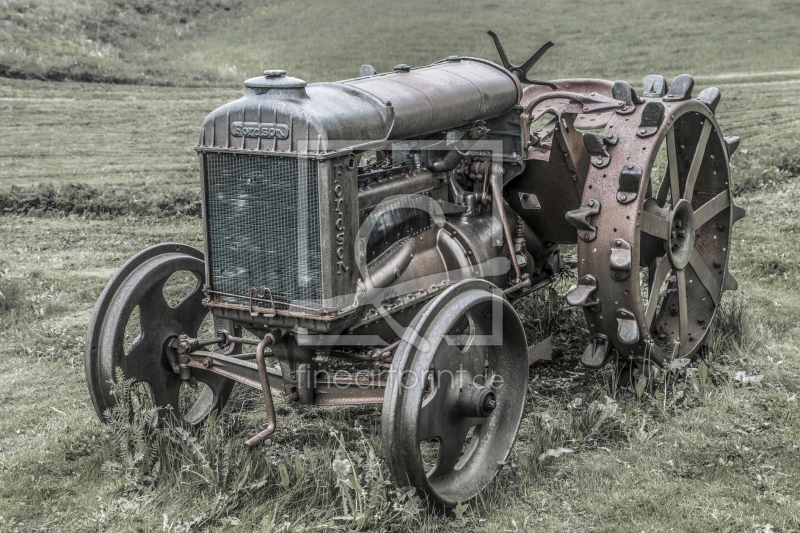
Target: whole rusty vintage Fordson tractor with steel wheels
column 390, row 219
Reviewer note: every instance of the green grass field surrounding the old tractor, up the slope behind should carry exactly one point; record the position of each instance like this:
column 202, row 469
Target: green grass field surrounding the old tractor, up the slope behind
column 722, row 458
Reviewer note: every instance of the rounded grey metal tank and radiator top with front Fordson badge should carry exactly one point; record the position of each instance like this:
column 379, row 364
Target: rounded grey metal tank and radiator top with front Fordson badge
column 281, row 114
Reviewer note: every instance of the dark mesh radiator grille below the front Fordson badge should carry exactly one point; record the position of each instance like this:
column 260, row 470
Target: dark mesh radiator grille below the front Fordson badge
column 263, row 228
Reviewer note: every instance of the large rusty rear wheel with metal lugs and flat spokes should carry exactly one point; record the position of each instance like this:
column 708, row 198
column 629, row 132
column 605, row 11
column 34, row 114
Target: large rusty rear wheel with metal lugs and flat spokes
column 659, row 260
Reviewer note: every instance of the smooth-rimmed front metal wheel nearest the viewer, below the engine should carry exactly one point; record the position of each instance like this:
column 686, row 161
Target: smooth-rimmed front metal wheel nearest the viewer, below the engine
column 457, row 384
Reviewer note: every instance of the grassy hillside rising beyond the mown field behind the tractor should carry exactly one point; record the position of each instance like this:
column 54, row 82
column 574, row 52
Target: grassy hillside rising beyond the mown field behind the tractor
column 221, row 42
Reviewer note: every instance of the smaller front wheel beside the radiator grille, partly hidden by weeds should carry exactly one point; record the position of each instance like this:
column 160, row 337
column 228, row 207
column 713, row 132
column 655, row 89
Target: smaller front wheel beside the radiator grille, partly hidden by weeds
column 140, row 284
